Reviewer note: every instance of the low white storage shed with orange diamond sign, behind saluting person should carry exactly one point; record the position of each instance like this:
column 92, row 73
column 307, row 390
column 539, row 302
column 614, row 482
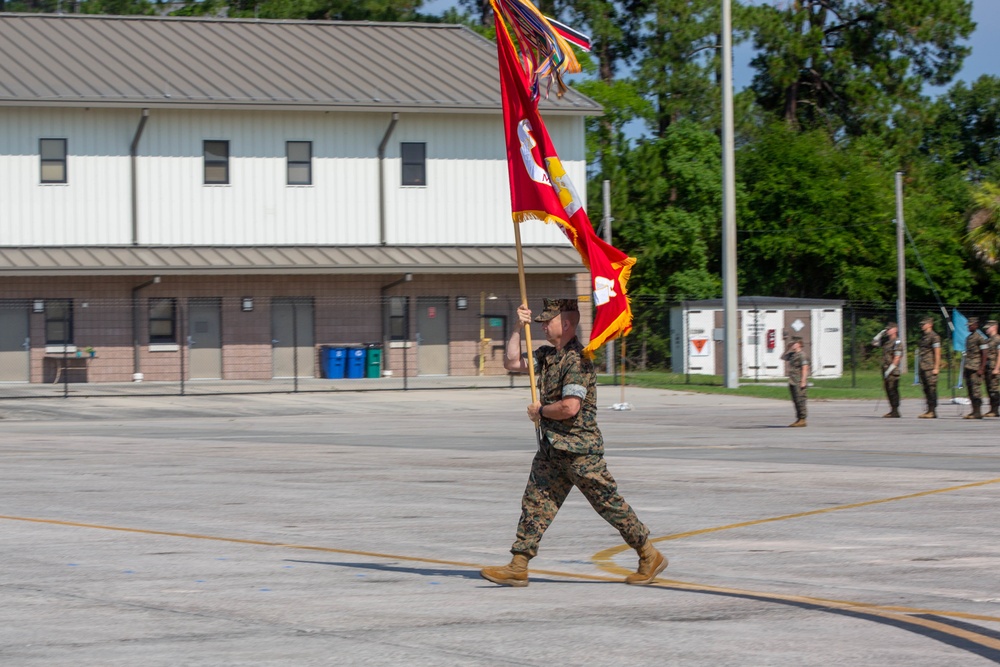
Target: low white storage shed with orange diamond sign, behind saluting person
column 766, row 324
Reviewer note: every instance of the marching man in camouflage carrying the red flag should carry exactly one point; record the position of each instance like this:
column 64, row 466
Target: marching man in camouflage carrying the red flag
column 570, row 449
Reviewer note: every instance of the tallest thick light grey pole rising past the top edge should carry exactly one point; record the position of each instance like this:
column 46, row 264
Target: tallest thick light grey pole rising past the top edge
column 729, row 301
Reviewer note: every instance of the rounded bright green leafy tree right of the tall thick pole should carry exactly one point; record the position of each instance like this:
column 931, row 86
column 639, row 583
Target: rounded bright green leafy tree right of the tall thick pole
column 817, row 221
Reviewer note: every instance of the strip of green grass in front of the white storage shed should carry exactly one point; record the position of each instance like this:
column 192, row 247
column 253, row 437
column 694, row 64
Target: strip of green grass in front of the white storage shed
column 867, row 384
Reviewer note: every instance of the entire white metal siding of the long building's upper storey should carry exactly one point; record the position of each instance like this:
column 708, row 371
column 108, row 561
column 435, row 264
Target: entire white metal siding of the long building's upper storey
column 466, row 201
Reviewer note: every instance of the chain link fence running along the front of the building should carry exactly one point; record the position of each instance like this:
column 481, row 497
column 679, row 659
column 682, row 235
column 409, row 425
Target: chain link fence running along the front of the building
column 225, row 345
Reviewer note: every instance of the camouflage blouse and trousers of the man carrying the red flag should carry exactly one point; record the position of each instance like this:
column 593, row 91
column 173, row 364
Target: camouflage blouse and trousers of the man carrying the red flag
column 571, row 453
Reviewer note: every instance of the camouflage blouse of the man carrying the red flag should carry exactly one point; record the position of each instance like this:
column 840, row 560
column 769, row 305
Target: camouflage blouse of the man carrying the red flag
column 563, row 373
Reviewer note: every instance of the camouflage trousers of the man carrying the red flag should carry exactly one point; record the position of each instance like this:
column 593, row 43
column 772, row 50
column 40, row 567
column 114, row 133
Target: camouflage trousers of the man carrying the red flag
column 553, row 474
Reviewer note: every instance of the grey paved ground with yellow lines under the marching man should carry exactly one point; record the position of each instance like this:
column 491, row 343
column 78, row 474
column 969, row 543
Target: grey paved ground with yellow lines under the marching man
column 348, row 529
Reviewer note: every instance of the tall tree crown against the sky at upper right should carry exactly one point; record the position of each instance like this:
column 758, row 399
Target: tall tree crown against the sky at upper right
column 847, row 65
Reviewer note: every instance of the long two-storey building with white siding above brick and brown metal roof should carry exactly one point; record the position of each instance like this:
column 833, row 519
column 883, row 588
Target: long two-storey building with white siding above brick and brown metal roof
column 191, row 195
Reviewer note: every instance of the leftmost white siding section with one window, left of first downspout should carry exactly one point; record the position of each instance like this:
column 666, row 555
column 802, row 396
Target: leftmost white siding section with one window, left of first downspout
column 92, row 208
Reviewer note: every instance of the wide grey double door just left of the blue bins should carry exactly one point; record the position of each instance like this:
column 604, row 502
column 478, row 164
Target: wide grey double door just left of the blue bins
column 292, row 341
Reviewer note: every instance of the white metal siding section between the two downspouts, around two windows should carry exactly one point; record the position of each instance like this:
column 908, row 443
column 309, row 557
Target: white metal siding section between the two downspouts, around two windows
column 257, row 207
